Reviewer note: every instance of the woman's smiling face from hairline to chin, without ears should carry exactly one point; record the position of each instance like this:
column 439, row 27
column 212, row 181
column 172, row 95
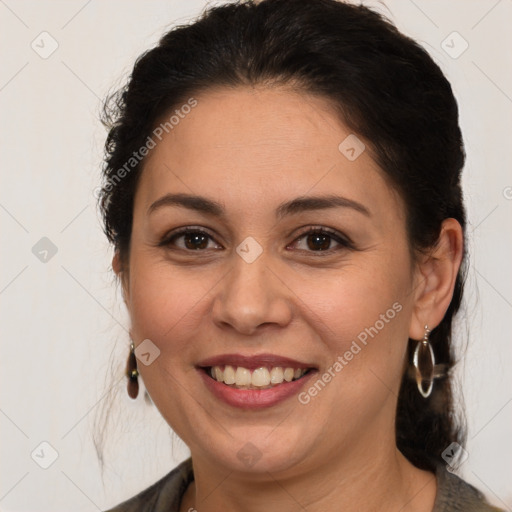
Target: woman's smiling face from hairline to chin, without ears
column 255, row 291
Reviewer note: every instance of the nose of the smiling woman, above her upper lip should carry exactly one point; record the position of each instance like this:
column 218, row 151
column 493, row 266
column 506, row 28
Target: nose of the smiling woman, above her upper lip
column 252, row 297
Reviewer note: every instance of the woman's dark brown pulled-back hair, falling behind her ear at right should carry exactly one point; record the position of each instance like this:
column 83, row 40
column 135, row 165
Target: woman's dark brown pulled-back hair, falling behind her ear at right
column 385, row 87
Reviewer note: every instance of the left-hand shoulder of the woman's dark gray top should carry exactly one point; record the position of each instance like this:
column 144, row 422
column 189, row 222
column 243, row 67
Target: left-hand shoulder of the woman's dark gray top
column 163, row 495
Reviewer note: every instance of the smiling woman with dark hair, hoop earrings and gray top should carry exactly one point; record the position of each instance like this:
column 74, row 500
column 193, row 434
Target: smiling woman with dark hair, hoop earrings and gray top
column 282, row 189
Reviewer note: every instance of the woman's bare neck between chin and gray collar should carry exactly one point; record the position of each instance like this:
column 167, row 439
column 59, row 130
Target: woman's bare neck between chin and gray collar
column 367, row 480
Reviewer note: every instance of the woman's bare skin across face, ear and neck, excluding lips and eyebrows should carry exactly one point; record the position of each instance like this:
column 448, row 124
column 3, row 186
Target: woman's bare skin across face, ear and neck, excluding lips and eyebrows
column 251, row 149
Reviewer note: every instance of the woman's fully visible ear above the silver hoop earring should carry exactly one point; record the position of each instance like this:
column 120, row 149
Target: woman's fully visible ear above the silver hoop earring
column 435, row 278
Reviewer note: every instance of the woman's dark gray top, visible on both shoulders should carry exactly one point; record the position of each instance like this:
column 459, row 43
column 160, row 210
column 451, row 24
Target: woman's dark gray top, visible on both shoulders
column 453, row 494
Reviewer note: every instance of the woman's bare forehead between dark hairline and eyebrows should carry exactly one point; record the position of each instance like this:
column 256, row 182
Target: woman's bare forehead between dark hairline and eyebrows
column 255, row 146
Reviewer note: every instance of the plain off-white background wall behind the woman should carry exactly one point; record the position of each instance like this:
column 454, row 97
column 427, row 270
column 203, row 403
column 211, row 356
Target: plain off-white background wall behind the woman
column 61, row 321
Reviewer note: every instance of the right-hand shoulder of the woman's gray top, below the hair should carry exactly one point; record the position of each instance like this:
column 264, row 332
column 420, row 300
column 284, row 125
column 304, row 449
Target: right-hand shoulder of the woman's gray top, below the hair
column 454, row 494
